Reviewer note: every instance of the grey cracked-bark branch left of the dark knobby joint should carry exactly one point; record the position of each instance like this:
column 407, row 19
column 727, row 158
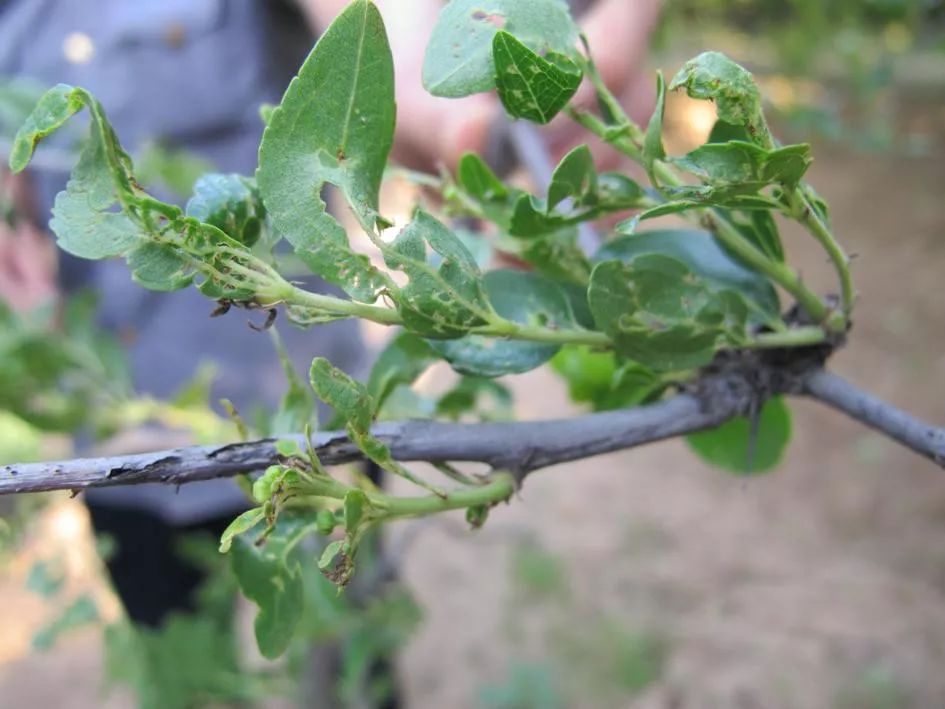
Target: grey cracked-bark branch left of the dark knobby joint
column 520, row 447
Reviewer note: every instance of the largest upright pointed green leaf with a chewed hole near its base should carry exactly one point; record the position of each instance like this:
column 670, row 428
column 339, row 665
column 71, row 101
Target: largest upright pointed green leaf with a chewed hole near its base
column 335, row 125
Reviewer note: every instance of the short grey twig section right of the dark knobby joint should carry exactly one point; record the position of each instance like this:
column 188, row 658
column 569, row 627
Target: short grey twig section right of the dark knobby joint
column 840, row 394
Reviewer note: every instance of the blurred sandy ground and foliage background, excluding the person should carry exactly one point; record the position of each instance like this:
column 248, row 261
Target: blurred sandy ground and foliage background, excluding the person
column 638, row 579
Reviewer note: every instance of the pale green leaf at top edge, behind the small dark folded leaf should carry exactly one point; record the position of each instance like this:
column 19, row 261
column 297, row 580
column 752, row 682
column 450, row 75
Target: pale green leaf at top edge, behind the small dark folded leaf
column 459, row 58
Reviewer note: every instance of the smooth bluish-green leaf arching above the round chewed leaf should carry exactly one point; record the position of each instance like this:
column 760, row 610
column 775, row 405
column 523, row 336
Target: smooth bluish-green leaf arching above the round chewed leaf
column 702, row 254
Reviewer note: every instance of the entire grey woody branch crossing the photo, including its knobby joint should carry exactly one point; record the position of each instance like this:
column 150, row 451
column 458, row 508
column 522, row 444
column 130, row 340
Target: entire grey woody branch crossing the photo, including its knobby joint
column 732, row 387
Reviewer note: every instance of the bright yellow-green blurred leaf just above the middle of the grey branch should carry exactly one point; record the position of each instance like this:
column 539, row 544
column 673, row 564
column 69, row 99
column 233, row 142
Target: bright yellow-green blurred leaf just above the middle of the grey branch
column 604, row 382
